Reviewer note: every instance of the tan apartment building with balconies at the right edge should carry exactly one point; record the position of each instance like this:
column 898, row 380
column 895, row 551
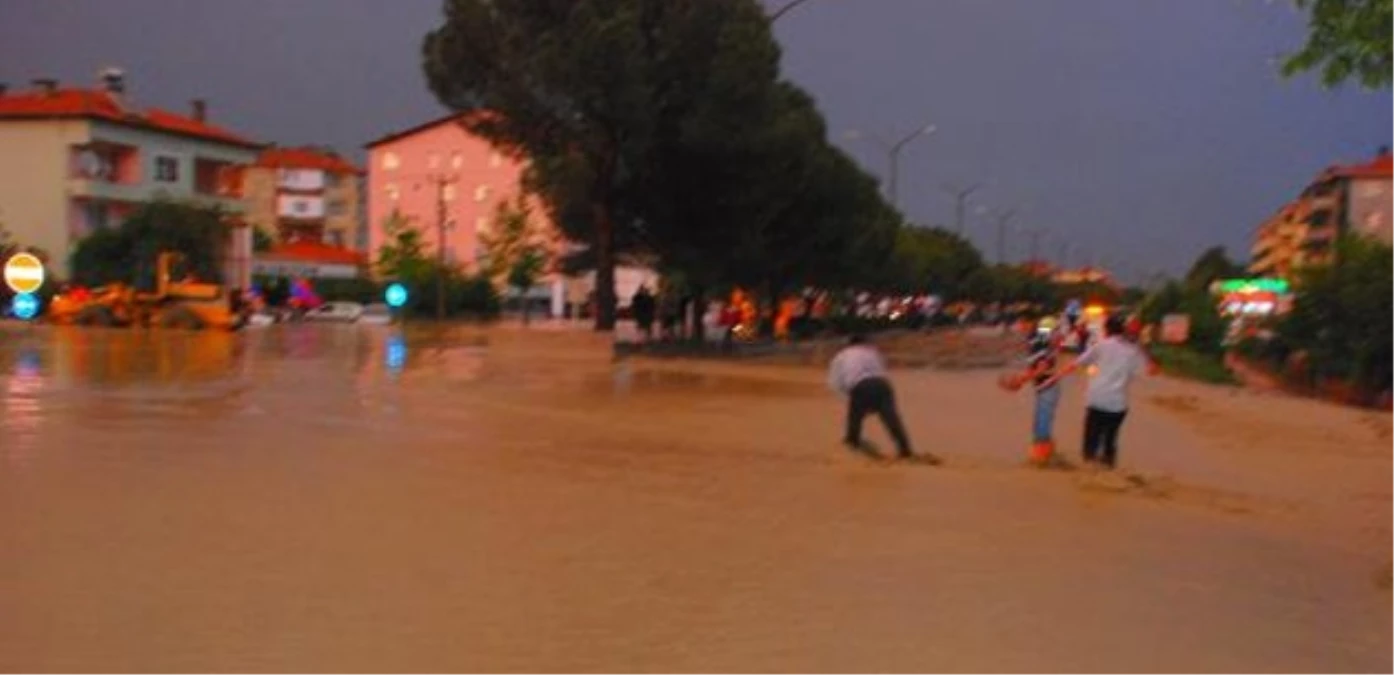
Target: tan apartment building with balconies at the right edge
column 1356, row 200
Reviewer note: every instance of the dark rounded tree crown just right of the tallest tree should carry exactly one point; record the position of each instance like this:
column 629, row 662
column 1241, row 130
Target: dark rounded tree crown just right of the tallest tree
column 765, row 202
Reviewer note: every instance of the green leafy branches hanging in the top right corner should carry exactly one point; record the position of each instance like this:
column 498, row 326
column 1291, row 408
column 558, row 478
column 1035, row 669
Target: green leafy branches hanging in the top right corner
column 1347, row 40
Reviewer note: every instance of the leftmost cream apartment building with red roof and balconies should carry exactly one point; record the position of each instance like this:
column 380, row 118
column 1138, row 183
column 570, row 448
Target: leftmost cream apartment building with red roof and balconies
column 77, row 161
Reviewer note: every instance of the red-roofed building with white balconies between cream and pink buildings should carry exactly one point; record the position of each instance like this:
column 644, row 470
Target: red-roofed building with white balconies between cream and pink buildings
column 307, row 200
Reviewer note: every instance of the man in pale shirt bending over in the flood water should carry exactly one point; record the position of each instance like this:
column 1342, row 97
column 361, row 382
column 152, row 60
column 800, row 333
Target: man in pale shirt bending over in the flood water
column 859, row 373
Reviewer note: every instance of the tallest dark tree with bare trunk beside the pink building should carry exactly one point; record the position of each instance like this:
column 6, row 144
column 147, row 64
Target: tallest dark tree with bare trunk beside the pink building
column 586, row 89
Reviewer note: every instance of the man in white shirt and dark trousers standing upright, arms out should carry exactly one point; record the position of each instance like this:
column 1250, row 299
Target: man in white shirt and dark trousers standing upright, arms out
column 1117, row 362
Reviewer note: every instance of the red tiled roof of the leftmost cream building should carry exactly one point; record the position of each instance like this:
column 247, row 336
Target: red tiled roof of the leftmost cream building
column 107, row 107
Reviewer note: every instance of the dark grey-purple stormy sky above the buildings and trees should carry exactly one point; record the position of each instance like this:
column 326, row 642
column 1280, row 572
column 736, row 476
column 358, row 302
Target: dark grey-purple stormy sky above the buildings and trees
column 1140, row 130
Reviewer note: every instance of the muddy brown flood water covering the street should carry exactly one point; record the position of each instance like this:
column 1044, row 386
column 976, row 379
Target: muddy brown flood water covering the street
column 355, row 500
